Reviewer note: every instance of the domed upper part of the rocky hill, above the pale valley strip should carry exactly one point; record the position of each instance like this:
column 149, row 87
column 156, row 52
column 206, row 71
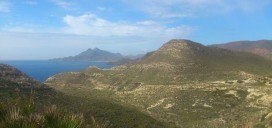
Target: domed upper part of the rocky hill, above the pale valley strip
column 182, row 61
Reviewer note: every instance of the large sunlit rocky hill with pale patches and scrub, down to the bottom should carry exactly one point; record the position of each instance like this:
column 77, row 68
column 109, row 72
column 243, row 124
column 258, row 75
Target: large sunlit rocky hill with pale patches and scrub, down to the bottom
column 183, row 83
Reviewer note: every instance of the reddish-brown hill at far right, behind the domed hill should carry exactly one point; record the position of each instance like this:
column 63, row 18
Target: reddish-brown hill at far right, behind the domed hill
column 260, row 47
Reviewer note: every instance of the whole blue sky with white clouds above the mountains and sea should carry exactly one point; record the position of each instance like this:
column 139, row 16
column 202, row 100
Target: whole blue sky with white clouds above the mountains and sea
column 44, row 29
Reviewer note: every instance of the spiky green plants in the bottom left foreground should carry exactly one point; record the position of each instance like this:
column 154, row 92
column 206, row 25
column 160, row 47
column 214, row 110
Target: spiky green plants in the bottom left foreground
column 23, row 116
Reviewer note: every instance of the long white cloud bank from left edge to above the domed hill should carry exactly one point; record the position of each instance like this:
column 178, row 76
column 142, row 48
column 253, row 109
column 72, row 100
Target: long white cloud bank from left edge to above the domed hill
column 92, row 25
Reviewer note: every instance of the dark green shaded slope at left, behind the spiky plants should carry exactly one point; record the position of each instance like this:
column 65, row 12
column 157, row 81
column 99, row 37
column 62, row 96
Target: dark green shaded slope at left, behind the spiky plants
column 17, row 90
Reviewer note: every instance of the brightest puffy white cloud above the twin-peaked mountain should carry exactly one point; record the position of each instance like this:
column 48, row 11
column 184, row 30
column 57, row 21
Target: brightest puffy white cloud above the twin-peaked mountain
column 90, row 24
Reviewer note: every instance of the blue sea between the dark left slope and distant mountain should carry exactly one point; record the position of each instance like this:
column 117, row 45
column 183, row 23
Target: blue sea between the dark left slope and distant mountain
column 42, row 69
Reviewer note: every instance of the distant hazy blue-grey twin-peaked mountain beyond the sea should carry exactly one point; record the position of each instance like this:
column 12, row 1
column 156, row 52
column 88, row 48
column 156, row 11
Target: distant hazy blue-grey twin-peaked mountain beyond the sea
column 99, row 55
